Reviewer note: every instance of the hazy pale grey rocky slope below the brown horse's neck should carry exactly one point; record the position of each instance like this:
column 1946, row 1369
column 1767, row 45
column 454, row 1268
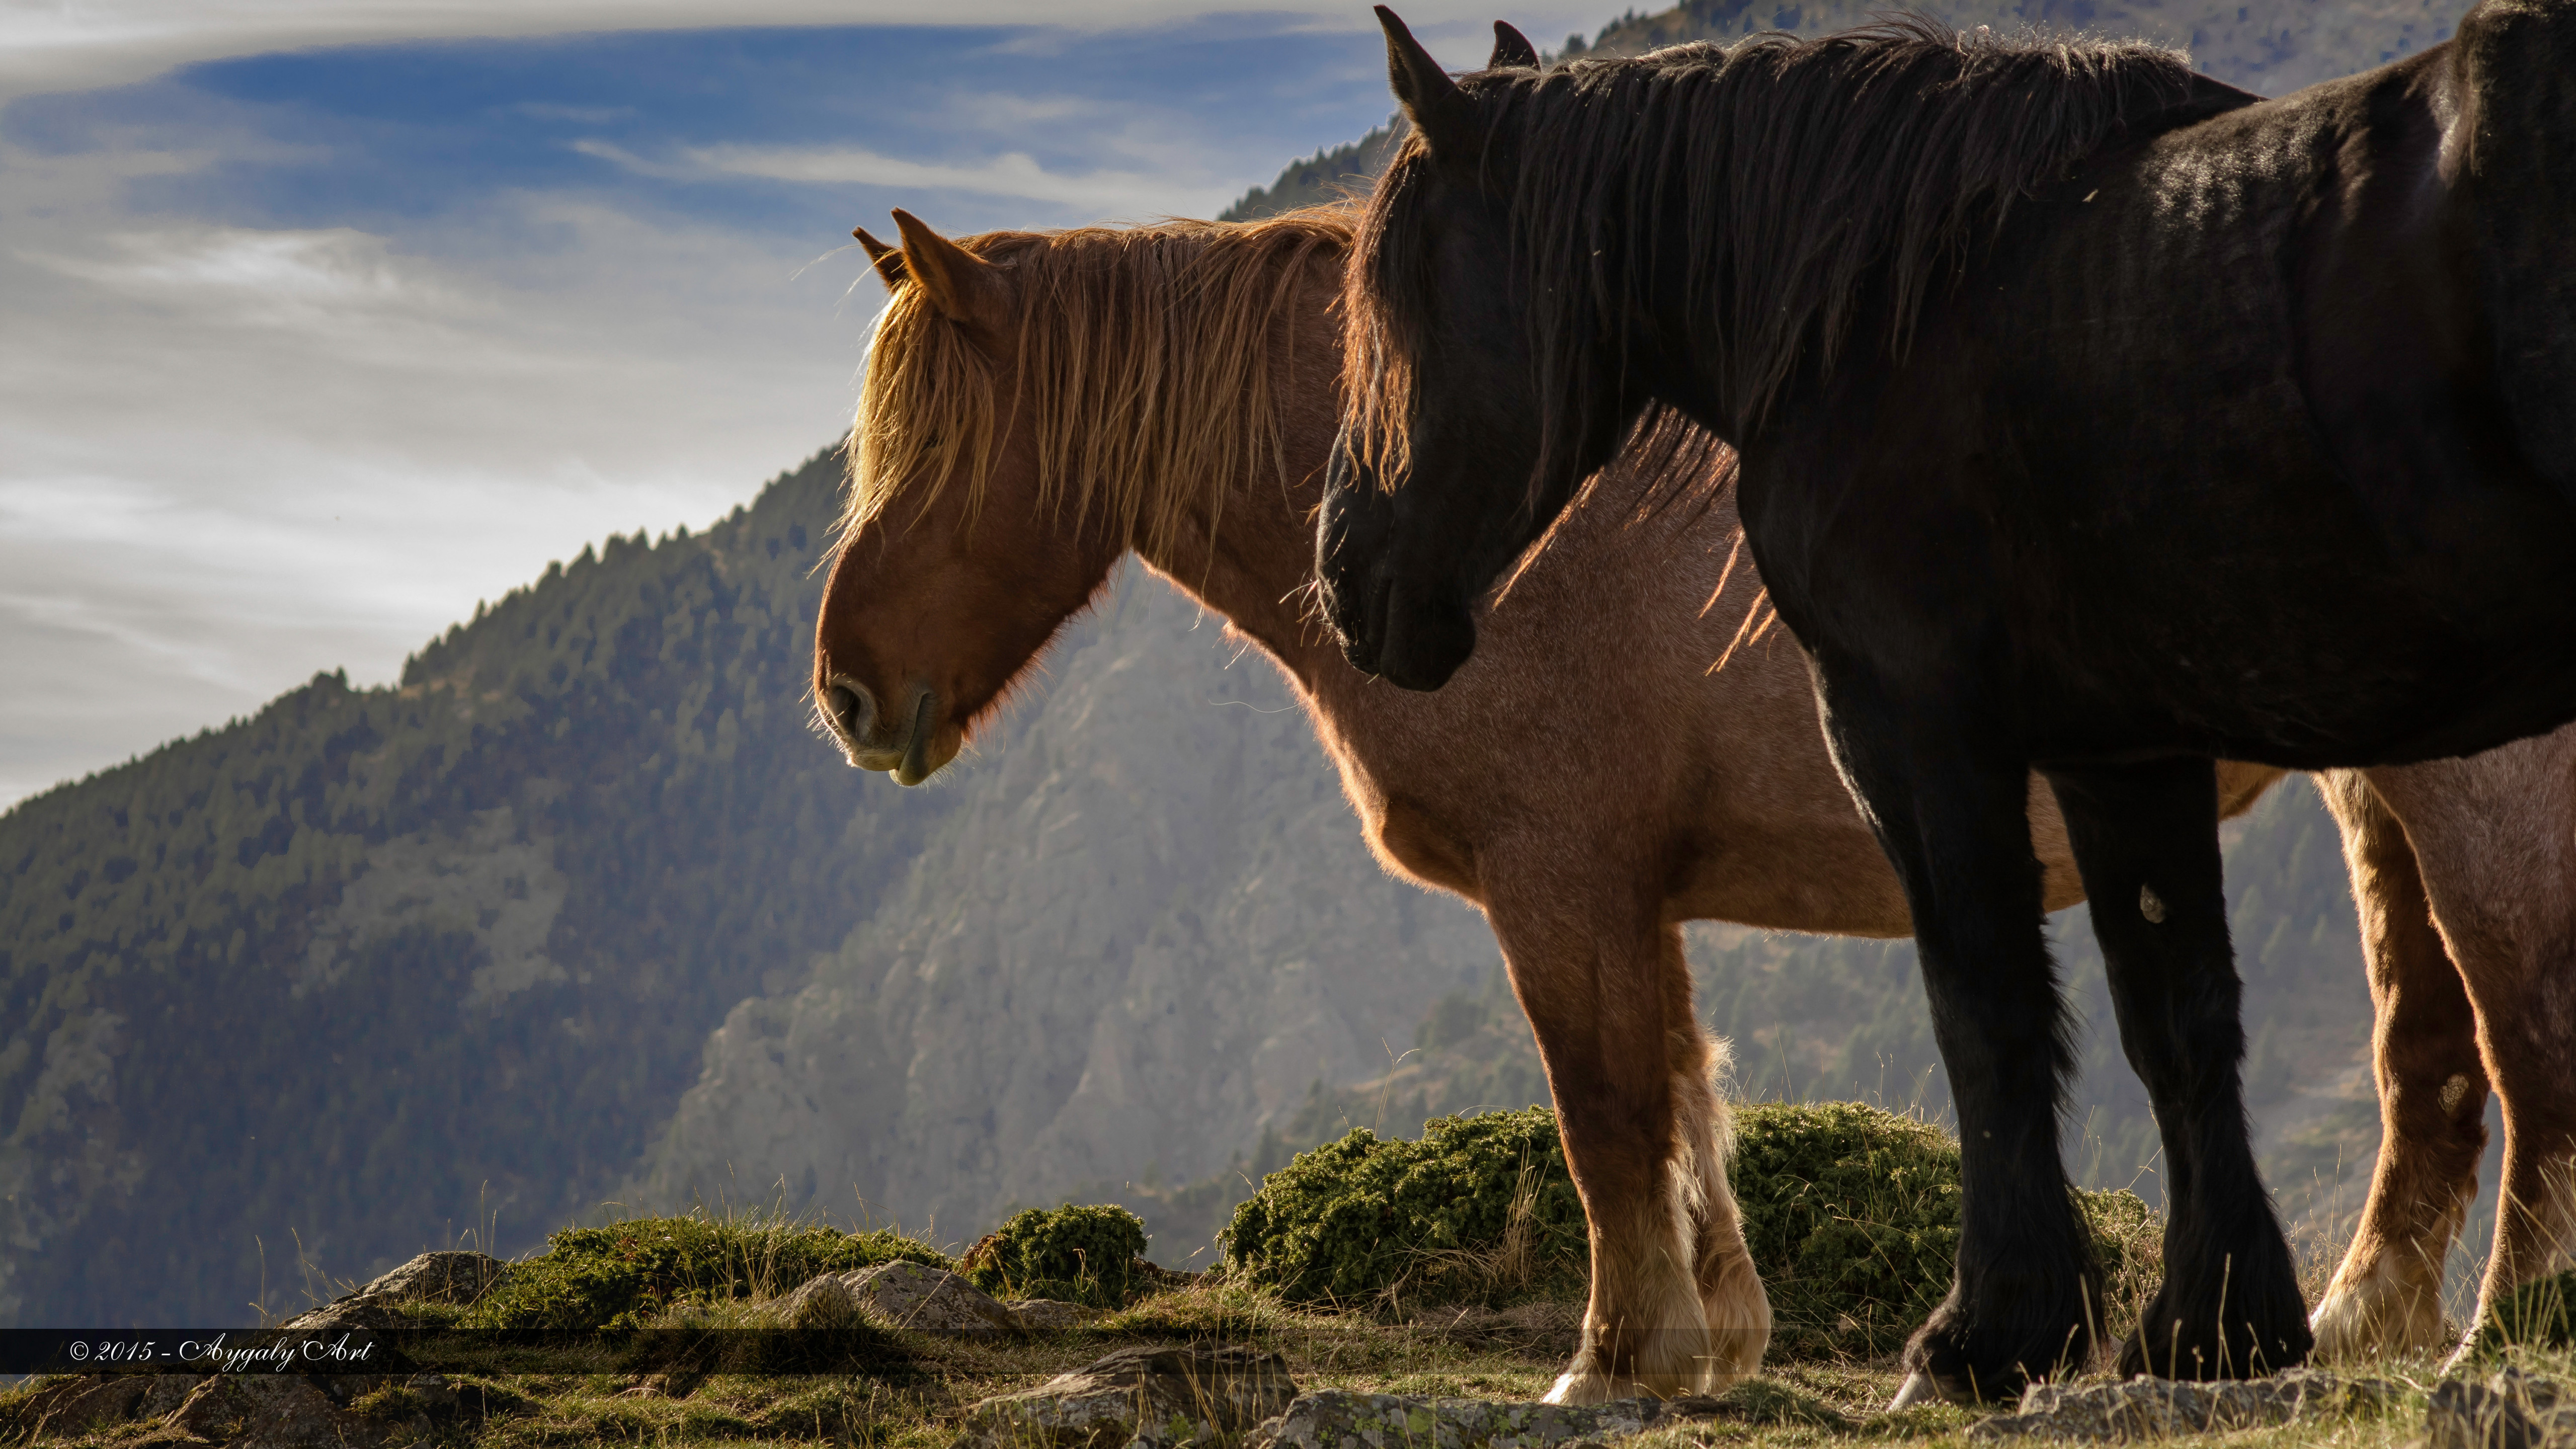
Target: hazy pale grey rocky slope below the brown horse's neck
column 1142, row 935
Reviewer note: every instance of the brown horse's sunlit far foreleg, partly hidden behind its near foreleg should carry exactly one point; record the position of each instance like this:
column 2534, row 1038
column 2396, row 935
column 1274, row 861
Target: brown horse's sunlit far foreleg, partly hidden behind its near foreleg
column 1730, row 1288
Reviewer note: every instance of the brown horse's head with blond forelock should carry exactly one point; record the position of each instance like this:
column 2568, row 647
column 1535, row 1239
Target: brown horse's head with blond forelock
column 949, row 576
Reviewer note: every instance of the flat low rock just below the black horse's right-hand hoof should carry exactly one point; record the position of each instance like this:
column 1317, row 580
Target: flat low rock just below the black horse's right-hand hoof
column 2157, row 1409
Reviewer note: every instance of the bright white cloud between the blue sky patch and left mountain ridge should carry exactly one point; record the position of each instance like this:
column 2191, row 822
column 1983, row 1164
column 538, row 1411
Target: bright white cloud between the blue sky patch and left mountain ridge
column 243, row 455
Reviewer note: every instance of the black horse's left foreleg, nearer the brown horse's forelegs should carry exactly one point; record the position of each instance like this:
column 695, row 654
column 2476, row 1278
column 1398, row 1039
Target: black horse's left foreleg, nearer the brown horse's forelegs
column 1951, row 806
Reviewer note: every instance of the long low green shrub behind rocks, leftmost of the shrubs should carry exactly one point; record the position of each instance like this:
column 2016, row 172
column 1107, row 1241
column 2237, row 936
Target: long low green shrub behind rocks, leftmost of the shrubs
column 630, row 1272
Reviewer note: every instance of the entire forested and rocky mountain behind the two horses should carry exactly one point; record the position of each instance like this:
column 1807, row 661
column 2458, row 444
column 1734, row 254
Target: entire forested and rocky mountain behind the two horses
column 583, row 911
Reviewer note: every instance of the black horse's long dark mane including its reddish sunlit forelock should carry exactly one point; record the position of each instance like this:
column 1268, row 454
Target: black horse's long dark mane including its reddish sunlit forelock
column 1807, row 171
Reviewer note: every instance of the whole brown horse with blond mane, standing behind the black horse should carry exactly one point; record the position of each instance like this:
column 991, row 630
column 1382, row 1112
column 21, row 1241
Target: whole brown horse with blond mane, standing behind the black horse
column 1042, row 404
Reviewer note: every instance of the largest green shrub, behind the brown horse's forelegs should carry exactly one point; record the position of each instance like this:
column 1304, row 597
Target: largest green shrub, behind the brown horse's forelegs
column 1851, row 1216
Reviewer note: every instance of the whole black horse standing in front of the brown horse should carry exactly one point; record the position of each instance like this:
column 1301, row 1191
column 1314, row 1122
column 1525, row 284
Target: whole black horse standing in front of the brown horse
column 2096, row 419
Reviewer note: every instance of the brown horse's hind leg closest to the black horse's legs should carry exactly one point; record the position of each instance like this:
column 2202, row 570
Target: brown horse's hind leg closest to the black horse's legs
column 2387, row 1296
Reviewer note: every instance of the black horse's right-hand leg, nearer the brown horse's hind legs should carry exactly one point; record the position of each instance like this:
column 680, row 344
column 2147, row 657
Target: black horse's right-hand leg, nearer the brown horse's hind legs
column 2147, row 842
